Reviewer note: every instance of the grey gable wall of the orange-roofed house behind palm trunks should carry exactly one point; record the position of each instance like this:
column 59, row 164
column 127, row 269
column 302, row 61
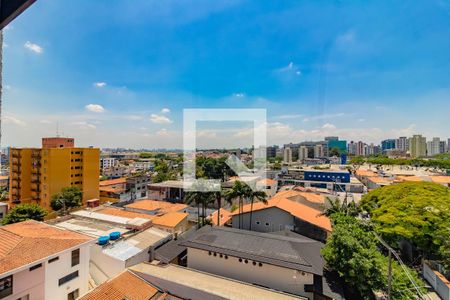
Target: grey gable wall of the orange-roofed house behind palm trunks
column 266, row 220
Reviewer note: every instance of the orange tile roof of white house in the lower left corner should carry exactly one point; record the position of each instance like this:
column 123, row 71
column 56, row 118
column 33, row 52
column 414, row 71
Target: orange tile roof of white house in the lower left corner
column 26, row 242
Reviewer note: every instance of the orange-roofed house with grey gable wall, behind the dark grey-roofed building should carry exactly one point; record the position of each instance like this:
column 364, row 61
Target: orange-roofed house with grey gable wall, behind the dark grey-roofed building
column 286, row 210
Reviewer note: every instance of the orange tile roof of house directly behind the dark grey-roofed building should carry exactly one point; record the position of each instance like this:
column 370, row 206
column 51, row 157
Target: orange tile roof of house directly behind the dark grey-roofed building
column 301, row 211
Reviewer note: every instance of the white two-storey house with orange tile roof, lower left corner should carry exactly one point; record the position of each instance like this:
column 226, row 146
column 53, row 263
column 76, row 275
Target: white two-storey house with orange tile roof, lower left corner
column 40, row 261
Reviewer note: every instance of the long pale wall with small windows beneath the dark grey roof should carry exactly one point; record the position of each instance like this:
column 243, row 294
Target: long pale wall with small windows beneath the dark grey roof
column 270, row 276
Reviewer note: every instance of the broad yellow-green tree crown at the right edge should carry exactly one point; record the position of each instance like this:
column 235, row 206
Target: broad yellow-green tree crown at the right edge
column 416, row 211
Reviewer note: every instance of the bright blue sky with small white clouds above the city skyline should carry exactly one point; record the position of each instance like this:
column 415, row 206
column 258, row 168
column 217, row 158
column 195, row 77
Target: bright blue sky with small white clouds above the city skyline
column 119, row 73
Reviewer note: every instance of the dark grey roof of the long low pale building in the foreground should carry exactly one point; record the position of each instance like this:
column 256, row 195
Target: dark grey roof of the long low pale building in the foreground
column 284, row 251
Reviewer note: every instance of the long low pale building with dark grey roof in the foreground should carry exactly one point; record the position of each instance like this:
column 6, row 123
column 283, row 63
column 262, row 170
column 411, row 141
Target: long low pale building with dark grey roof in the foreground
column 288, row 264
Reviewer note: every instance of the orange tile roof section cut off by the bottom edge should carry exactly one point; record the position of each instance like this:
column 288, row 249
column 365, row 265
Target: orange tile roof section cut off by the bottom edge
column 124, row 286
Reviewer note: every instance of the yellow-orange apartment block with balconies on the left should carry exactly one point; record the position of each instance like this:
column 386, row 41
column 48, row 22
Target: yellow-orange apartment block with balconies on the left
column 36, row 174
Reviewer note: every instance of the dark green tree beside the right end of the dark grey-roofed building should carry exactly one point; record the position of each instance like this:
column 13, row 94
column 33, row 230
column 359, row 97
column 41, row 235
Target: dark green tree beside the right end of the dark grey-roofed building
column 352, row 251
